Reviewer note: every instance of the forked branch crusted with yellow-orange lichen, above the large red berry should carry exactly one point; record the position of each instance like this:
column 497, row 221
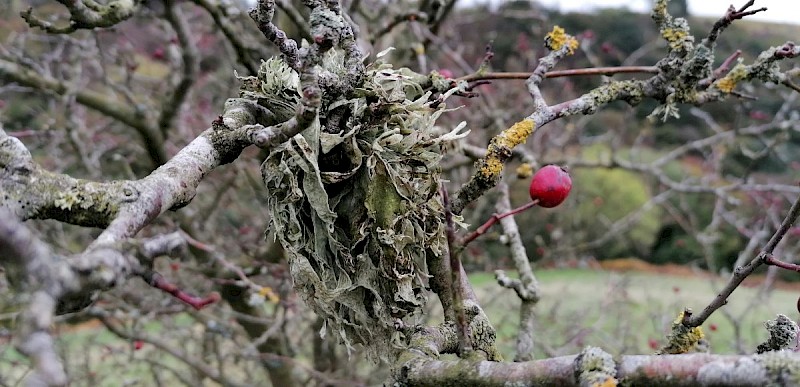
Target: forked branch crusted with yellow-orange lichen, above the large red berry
column 682, row 77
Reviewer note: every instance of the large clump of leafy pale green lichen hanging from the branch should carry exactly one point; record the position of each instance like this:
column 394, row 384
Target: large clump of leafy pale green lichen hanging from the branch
column 354, row 202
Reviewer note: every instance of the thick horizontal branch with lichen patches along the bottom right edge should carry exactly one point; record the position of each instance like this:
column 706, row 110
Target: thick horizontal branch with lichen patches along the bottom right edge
column 637, row 370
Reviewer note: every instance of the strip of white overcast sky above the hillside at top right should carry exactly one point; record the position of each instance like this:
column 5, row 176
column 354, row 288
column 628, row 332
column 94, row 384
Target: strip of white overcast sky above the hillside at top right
column 783, row 11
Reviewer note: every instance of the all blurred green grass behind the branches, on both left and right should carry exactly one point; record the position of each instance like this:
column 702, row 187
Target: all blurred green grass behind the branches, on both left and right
column 620, row 312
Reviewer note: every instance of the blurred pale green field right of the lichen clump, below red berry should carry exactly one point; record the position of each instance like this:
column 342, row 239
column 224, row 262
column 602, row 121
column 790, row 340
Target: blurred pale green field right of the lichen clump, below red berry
column 624, row 312
